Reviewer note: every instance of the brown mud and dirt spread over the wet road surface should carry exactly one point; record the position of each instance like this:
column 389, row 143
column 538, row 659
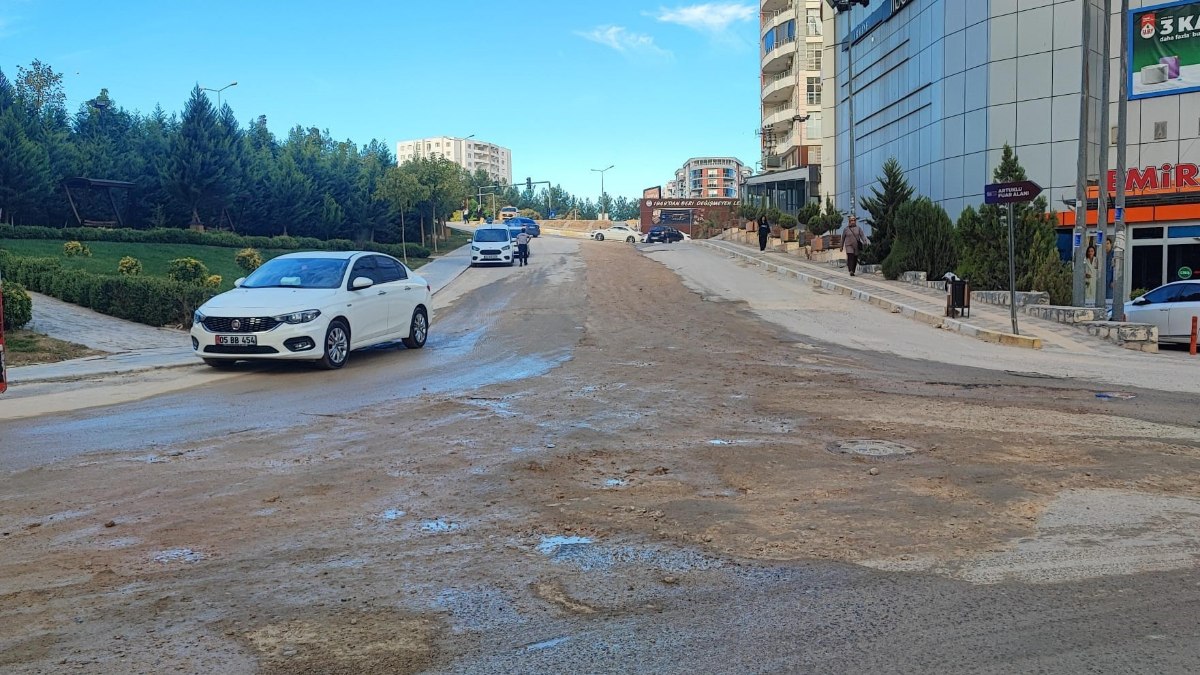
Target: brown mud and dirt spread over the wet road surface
column 683, row 428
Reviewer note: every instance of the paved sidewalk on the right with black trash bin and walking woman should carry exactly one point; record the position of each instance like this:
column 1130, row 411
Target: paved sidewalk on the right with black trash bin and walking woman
column 927, row 306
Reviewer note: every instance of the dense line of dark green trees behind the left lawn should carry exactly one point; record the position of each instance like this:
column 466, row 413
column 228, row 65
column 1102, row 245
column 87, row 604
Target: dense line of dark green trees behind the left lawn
column 203, row 168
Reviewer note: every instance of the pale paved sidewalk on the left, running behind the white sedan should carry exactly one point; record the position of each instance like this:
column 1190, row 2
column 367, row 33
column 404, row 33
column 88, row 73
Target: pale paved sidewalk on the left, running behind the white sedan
column 139, row 348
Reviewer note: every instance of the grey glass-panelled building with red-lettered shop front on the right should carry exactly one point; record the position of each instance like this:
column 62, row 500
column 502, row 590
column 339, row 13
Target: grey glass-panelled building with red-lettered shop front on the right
column 943, row 86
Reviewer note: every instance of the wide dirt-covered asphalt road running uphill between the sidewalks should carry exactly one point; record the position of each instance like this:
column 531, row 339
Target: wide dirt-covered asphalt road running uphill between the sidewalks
column 617, row 459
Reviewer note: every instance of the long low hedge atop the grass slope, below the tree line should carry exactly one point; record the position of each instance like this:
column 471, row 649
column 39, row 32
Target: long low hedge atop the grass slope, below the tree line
column 226, row 240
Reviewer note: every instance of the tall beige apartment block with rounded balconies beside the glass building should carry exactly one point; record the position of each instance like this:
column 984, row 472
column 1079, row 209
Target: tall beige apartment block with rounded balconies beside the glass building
column 790, row 77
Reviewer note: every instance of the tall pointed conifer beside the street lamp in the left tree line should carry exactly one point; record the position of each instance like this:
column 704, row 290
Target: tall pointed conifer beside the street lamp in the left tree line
column 199, row 156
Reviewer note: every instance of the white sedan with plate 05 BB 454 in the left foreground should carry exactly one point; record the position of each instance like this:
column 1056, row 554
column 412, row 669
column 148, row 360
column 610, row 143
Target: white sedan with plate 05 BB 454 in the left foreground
column 314, row 307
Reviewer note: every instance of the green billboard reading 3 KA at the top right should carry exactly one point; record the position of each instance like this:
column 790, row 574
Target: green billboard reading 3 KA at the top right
column 1165, row 50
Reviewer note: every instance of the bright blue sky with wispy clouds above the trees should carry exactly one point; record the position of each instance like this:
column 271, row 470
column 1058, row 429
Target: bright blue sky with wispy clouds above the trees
column 568, row 86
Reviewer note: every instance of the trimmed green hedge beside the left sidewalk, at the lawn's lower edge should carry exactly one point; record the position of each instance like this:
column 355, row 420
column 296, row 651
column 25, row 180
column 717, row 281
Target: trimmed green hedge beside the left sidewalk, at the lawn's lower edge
column 145, row 300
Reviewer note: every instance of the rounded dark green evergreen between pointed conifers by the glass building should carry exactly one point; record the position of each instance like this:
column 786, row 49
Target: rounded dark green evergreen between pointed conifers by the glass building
column 925, row 241
